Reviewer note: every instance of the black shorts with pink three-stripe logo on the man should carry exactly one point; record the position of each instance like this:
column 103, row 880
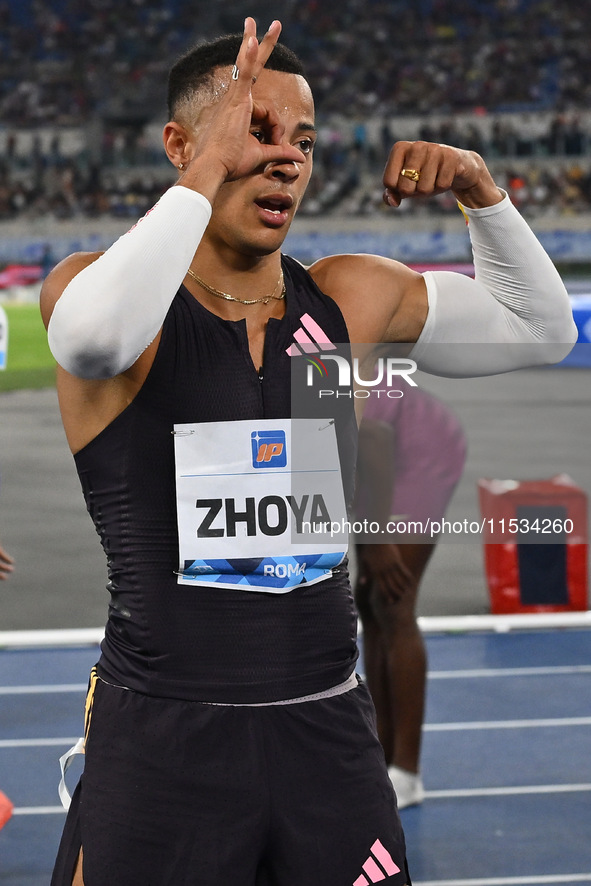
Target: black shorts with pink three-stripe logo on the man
column 180, row 793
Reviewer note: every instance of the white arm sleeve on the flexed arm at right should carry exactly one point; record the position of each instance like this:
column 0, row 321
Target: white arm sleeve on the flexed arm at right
column 515, row 313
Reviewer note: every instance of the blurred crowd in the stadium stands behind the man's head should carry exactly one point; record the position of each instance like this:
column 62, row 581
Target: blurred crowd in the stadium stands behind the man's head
column 82, row 96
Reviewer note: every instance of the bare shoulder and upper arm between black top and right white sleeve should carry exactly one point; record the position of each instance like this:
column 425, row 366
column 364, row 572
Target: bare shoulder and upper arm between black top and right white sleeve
column 381, row 299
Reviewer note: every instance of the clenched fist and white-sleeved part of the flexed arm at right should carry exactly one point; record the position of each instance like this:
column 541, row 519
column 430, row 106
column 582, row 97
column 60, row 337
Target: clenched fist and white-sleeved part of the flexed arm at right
column 517, row 306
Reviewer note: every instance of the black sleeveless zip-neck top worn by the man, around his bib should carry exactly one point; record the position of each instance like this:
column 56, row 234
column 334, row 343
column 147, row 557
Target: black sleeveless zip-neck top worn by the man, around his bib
column 207, row 643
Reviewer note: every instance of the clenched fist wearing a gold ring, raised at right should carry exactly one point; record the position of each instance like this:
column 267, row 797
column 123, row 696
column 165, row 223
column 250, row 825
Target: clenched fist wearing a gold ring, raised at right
column 440, row 168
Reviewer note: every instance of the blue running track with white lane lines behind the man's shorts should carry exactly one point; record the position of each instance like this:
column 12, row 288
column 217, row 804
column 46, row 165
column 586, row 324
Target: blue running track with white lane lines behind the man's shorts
column 506, row 759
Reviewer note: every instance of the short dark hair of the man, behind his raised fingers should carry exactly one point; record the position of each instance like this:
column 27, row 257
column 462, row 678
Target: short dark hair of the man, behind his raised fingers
column 195, row 68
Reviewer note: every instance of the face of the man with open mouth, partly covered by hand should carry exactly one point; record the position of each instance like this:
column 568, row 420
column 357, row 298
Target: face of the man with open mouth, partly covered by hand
column 252, row 215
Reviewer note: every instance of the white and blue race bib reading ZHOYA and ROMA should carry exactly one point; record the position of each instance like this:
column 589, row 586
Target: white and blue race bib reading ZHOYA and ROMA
column 260, row 504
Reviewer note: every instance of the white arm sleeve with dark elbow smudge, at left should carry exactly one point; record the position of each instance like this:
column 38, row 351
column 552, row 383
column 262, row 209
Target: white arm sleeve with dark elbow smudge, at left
column 110, row 312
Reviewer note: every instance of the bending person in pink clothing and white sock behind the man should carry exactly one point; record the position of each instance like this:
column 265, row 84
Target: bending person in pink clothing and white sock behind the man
column 412, row 452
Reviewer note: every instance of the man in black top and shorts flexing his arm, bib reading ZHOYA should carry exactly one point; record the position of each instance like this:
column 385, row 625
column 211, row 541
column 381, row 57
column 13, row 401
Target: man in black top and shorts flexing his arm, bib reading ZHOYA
column 228, row 741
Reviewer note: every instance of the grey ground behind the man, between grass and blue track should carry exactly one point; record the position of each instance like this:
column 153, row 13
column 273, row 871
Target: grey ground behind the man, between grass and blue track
column 531, row 424
